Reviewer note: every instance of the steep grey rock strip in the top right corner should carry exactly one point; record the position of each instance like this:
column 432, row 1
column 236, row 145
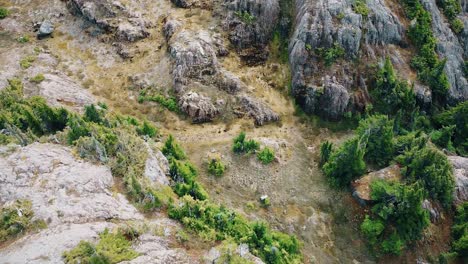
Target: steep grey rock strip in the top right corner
column 449, row 47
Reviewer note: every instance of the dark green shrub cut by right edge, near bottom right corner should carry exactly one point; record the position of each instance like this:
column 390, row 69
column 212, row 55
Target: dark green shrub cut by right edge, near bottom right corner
column 460, row 231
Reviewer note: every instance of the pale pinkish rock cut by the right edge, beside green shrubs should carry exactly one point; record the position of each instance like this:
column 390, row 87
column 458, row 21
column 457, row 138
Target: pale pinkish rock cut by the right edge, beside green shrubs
column 460, row 172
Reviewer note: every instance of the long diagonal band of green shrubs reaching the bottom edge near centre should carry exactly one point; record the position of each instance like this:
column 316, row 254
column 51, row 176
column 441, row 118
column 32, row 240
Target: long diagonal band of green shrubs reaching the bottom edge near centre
column 217, row 222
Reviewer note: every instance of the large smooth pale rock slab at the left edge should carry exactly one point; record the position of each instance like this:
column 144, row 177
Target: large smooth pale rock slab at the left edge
column 61, row 188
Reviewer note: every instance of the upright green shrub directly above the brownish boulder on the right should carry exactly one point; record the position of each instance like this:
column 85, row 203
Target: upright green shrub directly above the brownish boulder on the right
column 379, row 131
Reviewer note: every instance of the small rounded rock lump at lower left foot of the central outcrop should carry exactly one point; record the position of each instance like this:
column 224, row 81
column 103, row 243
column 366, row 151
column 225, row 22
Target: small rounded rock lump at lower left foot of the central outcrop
column 198, row 107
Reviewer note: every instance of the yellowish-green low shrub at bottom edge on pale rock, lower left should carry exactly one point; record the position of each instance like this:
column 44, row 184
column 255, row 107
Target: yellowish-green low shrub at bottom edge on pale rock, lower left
column 113, row 247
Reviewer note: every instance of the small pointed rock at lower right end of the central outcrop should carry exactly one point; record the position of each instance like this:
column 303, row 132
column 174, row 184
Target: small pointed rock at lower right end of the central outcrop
column 259, row 111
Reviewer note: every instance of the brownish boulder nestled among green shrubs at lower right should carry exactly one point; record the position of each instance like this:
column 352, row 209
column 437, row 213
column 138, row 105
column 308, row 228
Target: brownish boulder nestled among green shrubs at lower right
column 361, row 187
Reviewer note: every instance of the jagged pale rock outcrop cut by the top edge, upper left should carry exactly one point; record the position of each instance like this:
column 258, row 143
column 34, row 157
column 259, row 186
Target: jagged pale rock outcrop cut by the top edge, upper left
column 112, row 17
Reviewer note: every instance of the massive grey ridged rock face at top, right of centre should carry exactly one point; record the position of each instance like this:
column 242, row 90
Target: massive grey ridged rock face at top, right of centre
column 324, row 24
